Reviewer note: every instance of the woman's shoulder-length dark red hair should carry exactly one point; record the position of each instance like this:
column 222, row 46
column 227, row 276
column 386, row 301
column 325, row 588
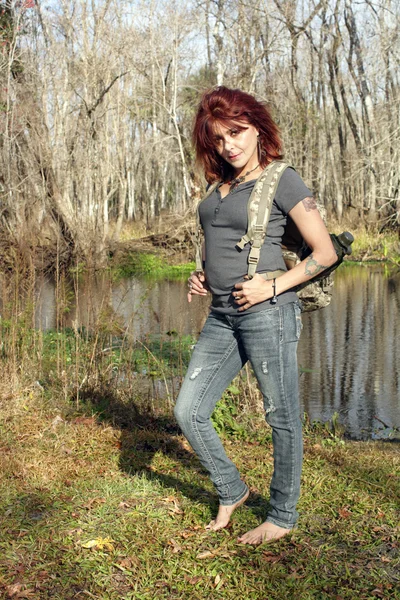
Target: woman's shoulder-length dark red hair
column 227, row 107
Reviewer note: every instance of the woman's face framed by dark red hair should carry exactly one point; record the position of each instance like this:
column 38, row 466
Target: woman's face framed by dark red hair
column 237, row 145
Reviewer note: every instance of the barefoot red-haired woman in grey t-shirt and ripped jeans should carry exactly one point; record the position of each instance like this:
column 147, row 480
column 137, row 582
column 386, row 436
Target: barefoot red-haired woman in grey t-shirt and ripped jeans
column 250, row 320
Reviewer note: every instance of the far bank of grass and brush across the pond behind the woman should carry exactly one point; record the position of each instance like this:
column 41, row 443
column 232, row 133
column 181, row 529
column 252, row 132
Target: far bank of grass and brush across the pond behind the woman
column 163, row 251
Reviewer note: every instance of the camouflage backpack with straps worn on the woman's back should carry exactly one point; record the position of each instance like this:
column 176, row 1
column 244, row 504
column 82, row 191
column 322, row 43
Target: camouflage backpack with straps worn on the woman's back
column 313, row 294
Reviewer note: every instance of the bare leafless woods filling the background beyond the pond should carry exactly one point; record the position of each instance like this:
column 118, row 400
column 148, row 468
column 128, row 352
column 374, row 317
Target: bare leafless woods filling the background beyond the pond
column 97, row 100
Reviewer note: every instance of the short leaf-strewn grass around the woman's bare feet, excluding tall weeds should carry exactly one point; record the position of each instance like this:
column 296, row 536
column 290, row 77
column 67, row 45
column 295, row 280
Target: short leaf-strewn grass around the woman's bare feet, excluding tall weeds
column 93, row 510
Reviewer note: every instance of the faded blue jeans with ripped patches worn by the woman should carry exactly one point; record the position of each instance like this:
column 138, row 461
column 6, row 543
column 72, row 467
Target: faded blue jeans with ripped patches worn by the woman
column 268, row 339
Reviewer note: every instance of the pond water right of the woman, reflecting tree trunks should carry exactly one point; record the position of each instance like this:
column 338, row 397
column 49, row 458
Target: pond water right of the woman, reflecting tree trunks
column 352, row 349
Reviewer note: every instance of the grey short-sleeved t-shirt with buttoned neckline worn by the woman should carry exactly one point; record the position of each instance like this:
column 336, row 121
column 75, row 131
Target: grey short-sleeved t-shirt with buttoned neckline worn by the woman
column 224, row 221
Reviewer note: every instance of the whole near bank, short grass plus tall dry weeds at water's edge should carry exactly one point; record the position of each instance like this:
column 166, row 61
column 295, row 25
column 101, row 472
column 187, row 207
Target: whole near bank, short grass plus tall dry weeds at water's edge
column 101, row 497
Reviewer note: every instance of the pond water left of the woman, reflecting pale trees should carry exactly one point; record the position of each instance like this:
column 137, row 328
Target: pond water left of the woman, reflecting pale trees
column 137, row 306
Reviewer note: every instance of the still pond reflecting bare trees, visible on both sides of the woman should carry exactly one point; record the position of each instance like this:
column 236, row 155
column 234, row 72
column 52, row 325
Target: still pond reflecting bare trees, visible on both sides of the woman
column 349, row 353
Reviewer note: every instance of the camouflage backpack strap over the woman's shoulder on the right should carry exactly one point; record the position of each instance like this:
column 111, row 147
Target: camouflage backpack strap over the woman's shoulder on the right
column 259, row 210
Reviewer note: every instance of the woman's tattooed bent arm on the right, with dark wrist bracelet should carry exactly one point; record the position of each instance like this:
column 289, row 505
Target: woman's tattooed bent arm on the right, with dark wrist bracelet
column 311, row 226
